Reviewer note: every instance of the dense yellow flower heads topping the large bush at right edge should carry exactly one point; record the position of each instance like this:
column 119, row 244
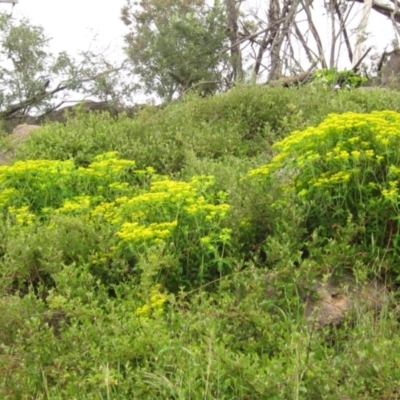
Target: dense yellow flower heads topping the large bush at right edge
column 336, row 150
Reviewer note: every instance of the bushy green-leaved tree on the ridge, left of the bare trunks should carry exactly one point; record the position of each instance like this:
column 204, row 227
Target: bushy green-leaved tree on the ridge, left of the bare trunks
column 175, row 45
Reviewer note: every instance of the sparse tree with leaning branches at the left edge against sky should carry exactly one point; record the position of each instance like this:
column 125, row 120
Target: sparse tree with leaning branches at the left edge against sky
column 33, row 80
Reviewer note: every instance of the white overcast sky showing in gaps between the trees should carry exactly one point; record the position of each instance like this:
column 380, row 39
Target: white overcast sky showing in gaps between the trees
column 77, row 25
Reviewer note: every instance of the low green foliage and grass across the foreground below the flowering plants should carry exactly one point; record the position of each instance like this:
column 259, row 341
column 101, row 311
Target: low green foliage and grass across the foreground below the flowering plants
column 224, row 345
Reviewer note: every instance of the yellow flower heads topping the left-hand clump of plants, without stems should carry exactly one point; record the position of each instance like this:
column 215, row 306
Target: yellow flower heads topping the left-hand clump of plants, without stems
column 101, row 192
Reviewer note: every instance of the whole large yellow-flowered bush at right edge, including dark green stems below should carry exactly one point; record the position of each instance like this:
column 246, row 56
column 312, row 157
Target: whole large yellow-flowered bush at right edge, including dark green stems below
column 345, row 169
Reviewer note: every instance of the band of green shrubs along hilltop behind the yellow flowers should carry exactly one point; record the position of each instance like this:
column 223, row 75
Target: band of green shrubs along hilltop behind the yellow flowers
column 241, row 123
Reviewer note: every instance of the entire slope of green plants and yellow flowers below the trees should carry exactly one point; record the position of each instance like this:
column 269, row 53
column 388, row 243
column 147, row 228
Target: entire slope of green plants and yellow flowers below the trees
column 140, row 259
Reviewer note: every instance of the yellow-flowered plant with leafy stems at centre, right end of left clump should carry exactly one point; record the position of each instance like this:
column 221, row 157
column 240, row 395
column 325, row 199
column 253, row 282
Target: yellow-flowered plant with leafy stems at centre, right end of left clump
column 181, row 215
